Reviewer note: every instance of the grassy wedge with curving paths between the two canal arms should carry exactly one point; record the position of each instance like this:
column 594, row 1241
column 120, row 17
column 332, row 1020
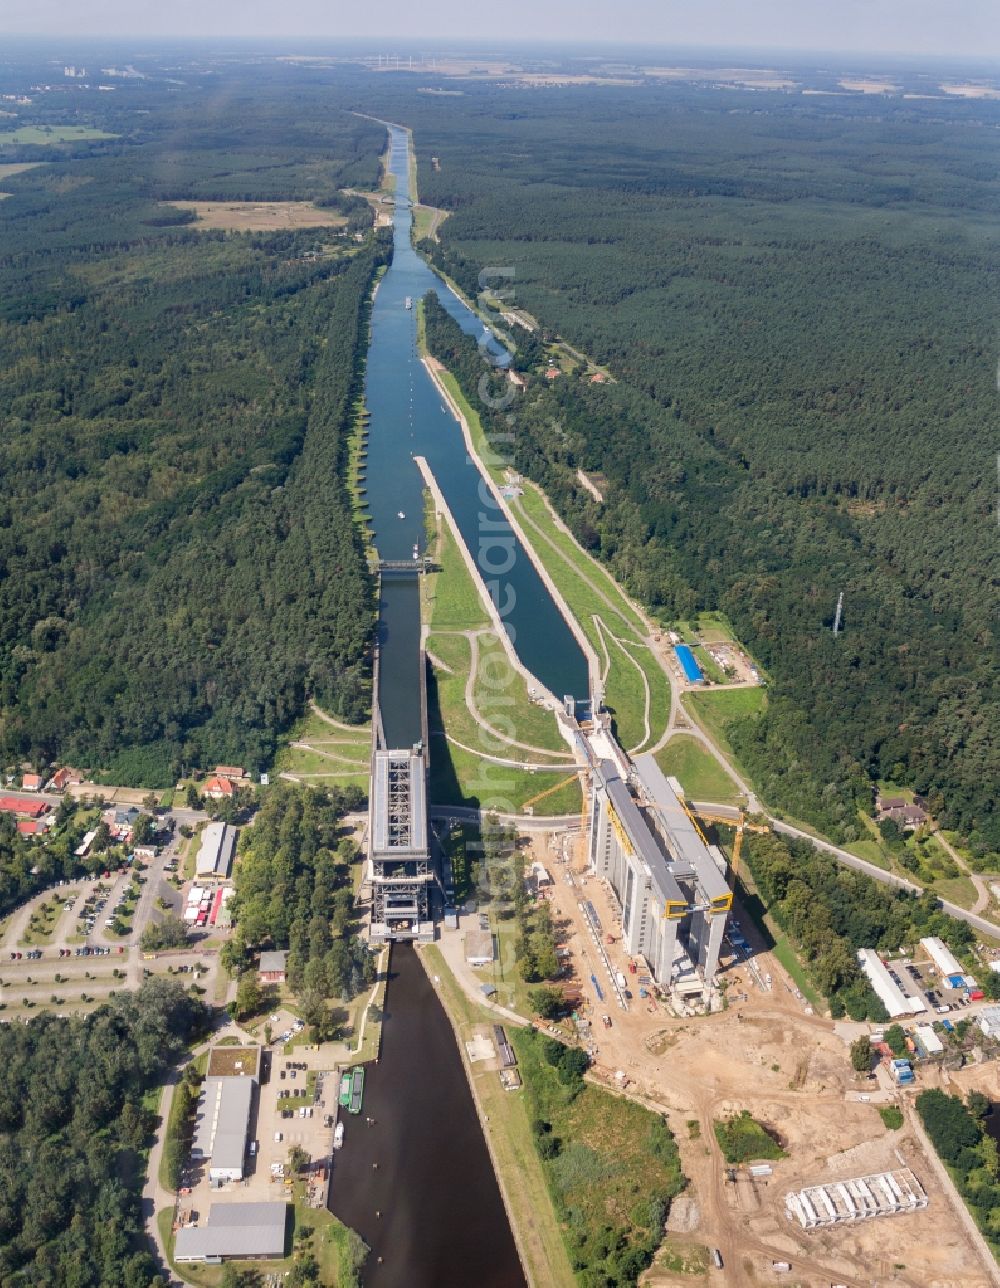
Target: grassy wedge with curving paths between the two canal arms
column 501, row 700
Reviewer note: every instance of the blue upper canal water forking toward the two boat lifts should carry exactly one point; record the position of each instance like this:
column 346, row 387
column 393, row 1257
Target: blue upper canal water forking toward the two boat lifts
column 409, row 419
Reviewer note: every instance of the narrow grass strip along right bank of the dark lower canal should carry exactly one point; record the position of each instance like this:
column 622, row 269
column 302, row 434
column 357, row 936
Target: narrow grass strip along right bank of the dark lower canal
column 517, row 1162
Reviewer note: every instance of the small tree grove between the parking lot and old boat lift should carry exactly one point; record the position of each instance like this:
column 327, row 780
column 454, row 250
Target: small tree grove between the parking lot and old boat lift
column 294, row 891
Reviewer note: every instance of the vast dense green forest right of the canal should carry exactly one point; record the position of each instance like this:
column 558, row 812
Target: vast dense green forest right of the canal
column 797, row 303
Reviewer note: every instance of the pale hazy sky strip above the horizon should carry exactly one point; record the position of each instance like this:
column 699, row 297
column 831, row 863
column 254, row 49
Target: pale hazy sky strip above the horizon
column 877, row 26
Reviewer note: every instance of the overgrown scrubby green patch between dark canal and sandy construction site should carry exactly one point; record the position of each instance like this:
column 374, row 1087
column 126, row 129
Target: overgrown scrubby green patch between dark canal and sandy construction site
column 611, row 1165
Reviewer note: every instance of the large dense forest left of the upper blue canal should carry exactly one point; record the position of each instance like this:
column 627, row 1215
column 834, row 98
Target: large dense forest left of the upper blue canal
column 178, row 565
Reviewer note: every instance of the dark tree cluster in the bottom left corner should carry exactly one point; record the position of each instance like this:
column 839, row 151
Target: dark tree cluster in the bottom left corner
column 75, row 1122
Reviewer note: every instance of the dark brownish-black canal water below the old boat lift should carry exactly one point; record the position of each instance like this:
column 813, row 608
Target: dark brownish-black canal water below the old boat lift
column 431, row 1209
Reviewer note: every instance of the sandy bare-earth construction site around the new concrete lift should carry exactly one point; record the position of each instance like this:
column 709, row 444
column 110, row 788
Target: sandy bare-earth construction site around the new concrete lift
column 765, row 1053
